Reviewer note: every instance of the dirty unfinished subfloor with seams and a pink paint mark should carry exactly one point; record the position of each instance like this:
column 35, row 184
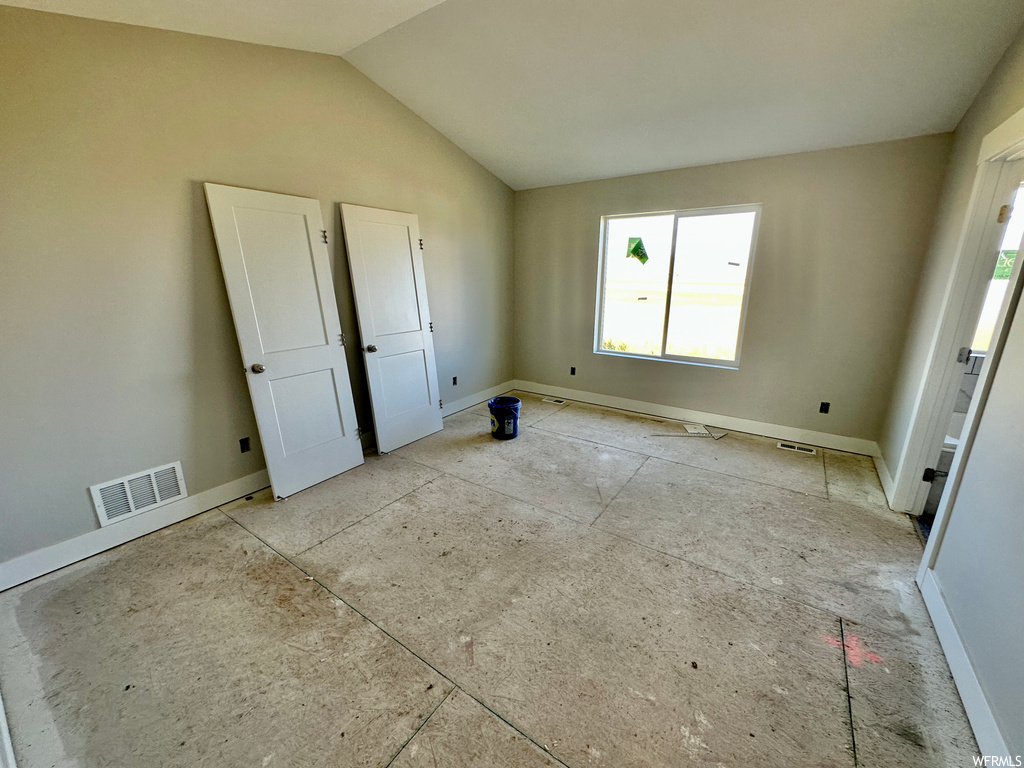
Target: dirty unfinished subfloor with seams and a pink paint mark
column 602, row 591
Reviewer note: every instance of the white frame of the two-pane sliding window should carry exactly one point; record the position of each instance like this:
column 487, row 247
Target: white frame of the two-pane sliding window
column 756, row 208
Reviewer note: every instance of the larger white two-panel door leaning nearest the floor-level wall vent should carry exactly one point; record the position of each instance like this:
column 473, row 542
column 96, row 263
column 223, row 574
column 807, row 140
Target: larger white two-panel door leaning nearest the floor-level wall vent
column 274, row 255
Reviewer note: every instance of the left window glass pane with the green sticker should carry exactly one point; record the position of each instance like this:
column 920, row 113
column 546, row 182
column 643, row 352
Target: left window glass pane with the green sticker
column 634, row 292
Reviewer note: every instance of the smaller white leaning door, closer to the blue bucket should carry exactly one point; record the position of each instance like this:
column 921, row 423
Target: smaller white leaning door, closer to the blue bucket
column 387, row 263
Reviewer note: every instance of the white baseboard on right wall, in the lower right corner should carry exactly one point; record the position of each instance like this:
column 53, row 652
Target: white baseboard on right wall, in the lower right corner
column 987, row 732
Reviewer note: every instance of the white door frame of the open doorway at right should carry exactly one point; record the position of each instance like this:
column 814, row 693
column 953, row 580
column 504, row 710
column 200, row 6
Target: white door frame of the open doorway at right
column 964, row 297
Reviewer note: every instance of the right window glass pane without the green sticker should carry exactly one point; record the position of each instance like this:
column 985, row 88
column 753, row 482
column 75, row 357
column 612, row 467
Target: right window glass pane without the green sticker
column 712, row 253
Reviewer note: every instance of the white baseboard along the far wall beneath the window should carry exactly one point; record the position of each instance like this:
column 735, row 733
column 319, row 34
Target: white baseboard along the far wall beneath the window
column 778, row 432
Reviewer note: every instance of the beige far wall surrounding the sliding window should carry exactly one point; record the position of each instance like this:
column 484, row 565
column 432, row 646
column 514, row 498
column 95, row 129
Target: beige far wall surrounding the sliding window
column 843, row 235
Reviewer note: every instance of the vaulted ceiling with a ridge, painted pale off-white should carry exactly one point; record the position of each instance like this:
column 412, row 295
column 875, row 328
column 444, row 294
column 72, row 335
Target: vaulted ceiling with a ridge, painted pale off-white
column 552, row 92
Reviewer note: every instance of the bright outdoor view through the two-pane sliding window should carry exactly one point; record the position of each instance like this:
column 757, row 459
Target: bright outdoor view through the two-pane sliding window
column 674, row 285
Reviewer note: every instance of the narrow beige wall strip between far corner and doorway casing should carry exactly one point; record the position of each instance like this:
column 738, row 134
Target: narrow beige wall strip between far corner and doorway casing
column 1002, row 97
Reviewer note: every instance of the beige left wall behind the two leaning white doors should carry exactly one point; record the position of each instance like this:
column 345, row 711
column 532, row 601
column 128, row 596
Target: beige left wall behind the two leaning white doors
column 117, row 349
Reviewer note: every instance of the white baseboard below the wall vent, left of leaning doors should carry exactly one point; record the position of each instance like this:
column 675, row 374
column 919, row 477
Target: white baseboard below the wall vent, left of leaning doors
column 33, row 565
